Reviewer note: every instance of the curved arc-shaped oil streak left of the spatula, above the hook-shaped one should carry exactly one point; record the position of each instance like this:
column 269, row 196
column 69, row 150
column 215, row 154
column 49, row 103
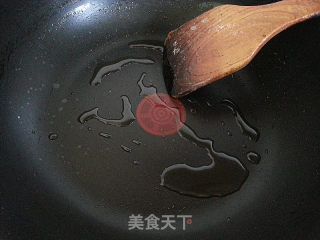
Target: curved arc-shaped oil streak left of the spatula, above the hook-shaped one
column 117, row 67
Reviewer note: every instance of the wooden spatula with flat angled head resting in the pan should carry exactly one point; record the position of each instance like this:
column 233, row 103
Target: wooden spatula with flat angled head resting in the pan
column 225, row 39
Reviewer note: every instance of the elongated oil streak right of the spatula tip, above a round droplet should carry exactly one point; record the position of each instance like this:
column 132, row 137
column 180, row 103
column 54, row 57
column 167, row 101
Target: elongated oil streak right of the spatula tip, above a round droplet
column 246, row 129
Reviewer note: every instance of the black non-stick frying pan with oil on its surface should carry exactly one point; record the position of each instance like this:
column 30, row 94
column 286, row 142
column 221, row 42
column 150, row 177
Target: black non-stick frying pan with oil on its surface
column 61, row 180
